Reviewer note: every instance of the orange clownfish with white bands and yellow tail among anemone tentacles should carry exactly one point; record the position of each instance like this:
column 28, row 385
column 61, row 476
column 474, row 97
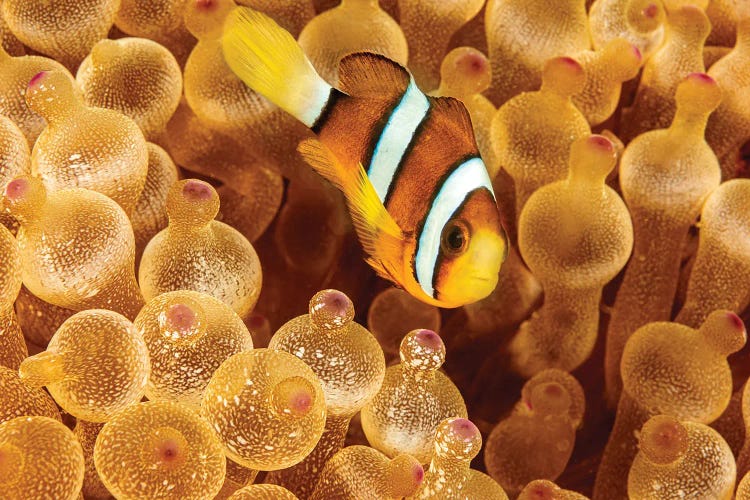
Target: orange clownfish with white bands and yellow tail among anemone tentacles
column 418, row 192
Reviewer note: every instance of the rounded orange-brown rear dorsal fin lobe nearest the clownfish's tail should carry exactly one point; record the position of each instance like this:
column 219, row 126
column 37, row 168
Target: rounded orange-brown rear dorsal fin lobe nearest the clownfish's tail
column 364, row 74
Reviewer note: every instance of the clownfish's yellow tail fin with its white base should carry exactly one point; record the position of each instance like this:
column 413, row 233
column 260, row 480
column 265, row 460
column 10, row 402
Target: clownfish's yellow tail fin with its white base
column 268, row 59
